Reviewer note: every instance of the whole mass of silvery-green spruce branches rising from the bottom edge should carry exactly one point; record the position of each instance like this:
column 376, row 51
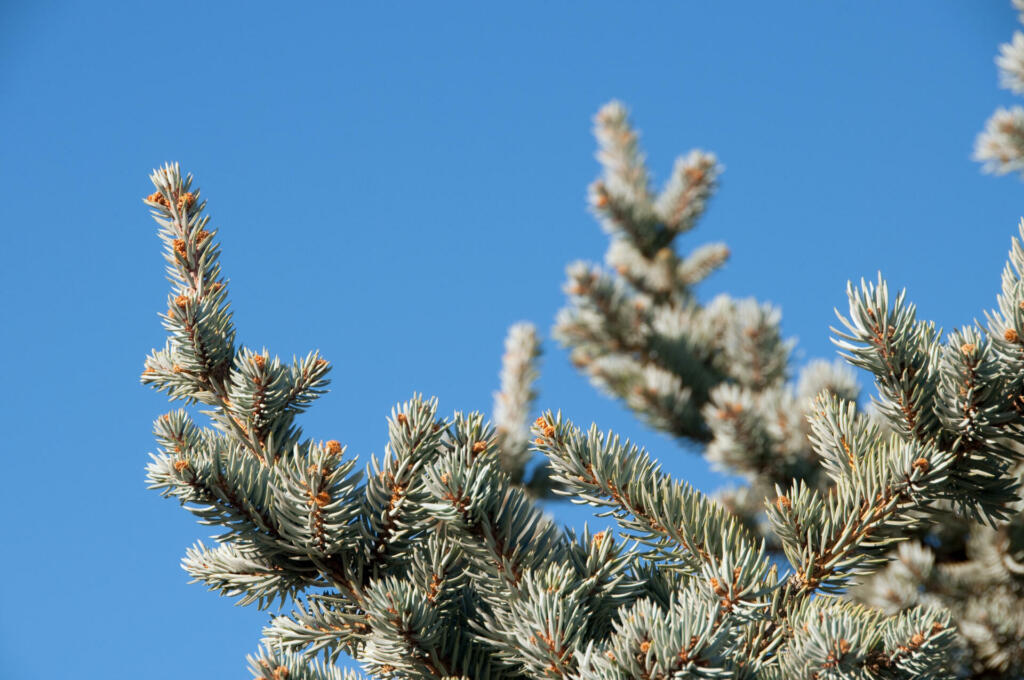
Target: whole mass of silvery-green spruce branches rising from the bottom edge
column 878, row 543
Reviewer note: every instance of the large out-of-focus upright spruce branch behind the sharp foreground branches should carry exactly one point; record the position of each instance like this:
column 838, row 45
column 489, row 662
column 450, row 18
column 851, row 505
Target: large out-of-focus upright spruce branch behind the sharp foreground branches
column 716, row 374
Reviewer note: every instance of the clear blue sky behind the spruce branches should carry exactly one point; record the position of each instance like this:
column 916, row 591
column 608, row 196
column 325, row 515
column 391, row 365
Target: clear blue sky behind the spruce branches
column 398, row 183
